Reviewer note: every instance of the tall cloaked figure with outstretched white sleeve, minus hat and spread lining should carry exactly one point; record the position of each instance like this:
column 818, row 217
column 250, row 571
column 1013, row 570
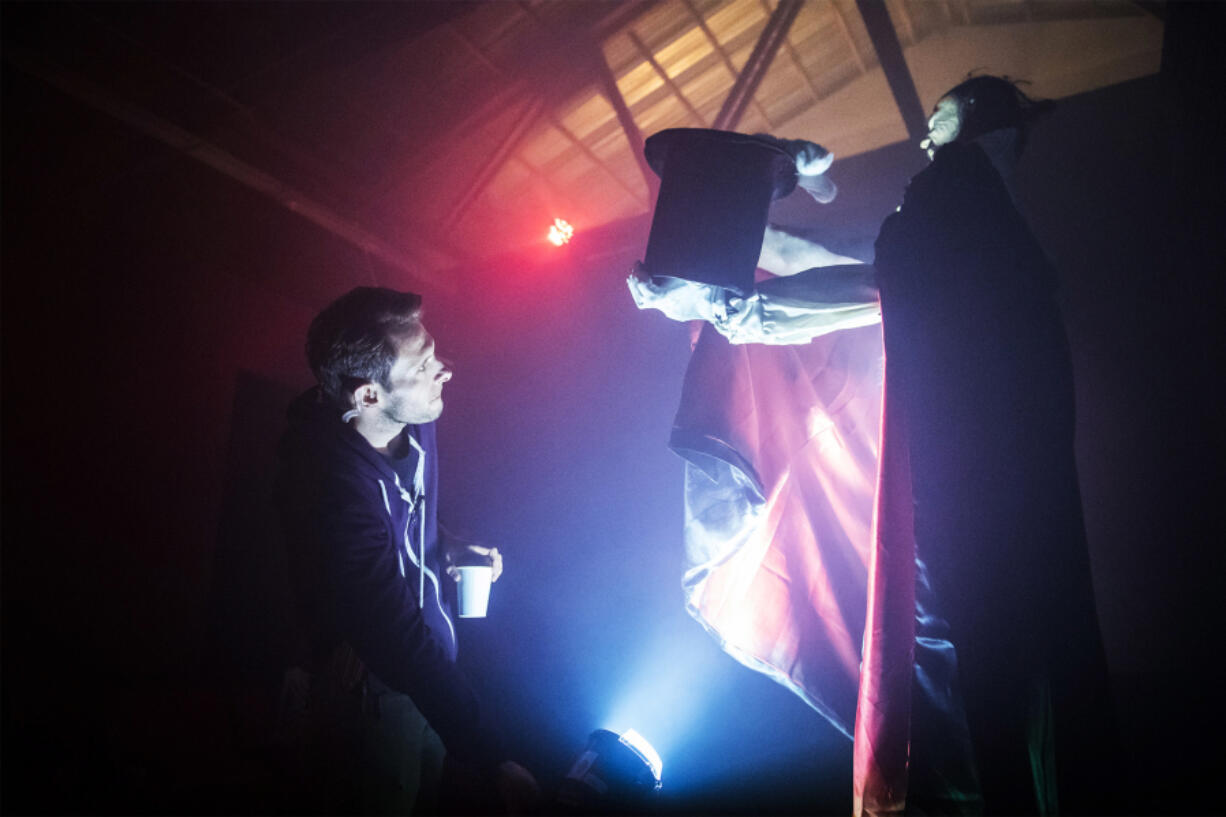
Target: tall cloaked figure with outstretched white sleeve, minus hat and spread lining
column 978, row 510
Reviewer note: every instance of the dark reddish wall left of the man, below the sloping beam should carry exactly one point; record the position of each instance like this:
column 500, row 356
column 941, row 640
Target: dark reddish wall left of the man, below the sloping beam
column 148, row 295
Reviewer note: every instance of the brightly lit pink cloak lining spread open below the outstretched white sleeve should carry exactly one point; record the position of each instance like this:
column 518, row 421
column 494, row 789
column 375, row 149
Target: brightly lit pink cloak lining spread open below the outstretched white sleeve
column 782, row 450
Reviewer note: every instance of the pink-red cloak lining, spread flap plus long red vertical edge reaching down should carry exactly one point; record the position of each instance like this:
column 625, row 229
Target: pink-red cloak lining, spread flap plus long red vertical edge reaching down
column 795, row 531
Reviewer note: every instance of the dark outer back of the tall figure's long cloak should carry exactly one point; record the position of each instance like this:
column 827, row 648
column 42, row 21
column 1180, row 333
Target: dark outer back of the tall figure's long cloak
column 978, row 356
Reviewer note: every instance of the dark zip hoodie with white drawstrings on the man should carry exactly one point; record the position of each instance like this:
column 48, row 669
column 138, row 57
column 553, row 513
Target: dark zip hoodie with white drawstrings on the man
column 354, row 523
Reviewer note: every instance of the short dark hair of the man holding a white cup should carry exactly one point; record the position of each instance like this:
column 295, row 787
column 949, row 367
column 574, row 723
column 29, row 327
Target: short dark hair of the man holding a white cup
column 352, row 342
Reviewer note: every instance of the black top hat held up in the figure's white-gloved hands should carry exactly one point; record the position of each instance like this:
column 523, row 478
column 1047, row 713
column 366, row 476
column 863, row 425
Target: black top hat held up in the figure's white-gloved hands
column 715, row 194
